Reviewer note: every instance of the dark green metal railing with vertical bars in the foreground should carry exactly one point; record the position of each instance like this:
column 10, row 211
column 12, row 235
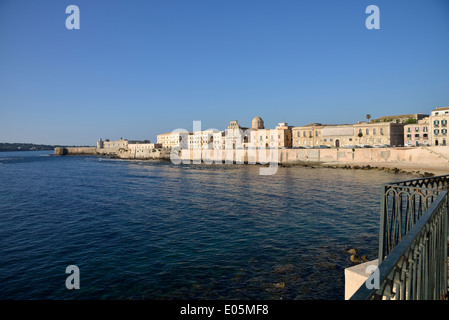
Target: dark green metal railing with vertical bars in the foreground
column 413, row 242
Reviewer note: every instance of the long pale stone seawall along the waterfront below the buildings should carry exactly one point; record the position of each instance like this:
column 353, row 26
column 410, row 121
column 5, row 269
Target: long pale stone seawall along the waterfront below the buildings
column 411, row 158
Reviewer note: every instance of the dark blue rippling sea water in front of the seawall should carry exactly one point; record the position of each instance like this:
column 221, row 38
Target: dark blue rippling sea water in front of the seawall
column 155, row 230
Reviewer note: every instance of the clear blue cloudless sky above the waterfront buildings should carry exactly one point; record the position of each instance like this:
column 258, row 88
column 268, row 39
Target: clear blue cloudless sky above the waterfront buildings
column 135, row 69
